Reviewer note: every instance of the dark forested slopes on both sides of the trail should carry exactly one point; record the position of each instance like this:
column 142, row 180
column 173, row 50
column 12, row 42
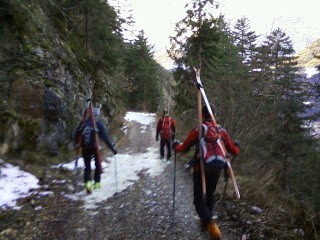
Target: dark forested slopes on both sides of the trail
column 256, row 88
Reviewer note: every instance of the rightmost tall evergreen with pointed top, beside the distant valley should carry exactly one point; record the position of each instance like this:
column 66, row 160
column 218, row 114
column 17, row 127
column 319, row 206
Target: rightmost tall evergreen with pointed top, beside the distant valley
column 288, row 93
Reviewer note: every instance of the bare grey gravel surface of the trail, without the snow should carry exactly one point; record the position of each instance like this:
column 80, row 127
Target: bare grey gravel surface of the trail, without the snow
column 141, row 211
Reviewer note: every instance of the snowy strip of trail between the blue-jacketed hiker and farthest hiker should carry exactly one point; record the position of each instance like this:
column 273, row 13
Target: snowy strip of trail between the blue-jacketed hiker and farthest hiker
column 140, row 152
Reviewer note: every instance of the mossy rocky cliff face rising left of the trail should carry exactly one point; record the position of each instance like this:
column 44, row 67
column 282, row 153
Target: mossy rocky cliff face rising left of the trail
column 42, row 85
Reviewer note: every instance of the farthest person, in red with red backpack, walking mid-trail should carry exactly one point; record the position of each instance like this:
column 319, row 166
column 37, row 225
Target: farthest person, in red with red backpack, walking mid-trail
column 166, row 128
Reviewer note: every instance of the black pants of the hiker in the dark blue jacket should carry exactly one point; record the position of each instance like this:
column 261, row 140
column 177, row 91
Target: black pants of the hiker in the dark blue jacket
column 87, row 156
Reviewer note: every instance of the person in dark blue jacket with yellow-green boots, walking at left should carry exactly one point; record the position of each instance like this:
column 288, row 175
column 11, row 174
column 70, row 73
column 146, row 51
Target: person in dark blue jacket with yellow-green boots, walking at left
column 86, row 132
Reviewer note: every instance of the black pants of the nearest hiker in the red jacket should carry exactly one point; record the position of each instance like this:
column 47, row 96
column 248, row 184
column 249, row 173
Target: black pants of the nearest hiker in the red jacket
column 204, row 207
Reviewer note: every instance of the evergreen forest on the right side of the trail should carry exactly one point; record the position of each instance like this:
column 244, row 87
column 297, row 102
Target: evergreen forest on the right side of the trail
column 259, row 96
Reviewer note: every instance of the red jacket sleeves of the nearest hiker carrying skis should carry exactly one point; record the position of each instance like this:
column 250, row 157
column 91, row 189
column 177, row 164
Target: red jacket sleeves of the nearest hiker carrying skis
column 193, row 139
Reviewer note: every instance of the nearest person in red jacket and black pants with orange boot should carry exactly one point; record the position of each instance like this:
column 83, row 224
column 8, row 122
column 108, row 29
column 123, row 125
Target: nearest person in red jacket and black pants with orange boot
column 214, row 161
